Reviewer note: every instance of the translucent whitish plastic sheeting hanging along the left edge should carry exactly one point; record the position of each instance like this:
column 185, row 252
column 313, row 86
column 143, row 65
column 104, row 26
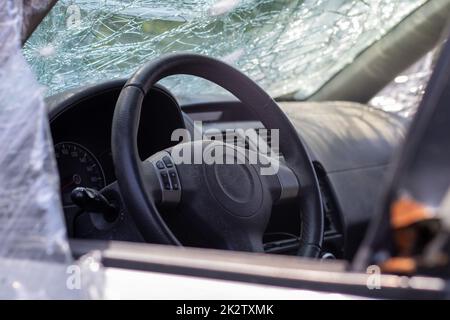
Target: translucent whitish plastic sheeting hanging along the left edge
column 34, row 251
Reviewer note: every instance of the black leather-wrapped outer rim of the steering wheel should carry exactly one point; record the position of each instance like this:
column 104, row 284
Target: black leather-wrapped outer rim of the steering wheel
column 128, row 166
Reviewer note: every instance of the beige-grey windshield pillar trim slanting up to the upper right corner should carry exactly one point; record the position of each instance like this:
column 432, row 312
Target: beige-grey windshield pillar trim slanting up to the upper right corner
column 380, row 63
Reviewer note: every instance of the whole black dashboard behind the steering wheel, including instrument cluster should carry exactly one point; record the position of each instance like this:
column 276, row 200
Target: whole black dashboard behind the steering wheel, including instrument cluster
column 351, row 146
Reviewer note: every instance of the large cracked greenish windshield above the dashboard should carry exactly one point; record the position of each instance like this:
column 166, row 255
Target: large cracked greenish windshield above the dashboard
column 287, row 47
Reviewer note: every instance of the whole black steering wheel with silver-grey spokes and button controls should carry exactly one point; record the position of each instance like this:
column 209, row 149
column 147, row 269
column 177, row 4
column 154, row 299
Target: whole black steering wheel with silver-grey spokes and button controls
column 229, row 204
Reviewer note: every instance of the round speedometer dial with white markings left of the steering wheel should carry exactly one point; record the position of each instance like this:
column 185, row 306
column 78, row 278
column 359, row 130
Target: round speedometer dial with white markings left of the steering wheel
column 77, row 167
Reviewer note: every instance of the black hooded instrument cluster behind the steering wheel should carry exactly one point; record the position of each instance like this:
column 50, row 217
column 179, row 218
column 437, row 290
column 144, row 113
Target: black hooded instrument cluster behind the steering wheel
column 81, row 134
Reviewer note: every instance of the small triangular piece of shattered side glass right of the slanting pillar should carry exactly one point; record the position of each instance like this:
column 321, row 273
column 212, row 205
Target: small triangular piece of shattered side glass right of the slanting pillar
column 403, row 95
